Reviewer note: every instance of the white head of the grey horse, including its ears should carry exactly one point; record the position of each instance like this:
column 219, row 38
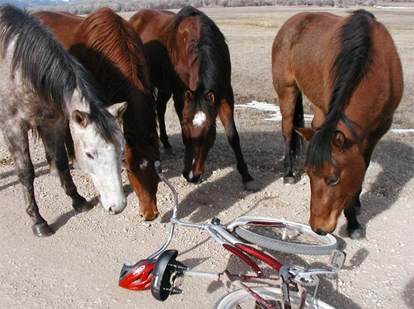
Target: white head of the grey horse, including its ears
column 98, row 152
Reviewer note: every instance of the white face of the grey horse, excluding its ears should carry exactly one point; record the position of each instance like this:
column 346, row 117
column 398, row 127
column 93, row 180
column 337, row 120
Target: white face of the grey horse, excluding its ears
column 102, row 161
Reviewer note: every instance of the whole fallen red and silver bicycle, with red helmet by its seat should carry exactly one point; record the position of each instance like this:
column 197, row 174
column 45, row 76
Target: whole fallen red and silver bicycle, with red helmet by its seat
column 290, row 288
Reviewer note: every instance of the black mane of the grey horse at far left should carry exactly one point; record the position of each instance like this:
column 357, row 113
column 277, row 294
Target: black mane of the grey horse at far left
column 48, row 69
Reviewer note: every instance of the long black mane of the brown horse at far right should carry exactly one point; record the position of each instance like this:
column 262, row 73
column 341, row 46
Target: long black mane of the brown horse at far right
column 346, row 73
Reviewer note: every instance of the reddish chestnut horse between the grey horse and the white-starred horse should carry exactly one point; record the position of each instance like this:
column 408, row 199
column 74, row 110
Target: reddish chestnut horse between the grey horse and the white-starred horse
column 112, row 51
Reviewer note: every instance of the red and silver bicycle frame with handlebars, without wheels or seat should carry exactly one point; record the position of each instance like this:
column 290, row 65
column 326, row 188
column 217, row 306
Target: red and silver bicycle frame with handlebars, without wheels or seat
column 288, row 274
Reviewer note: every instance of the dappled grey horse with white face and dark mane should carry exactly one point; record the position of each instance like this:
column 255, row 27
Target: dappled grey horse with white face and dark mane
column 43, row 87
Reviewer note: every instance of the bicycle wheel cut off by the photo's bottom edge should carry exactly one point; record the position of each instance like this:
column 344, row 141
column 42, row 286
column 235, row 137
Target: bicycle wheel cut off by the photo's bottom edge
column 241, row 299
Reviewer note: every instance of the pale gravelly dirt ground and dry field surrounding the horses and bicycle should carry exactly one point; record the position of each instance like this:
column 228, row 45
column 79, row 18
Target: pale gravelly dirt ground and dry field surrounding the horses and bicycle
column 78, row 267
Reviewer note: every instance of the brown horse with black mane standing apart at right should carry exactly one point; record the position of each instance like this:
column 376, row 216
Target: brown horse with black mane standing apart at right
column 349, row 68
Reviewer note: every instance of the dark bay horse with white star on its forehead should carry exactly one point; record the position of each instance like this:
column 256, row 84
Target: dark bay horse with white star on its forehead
column 189, row 58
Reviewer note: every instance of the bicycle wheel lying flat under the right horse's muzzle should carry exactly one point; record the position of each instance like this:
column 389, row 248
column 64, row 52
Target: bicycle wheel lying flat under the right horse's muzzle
column 285, row 236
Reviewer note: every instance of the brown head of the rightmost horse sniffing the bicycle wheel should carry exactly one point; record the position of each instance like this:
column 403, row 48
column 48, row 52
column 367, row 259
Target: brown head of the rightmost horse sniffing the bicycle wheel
column 333, row 184
